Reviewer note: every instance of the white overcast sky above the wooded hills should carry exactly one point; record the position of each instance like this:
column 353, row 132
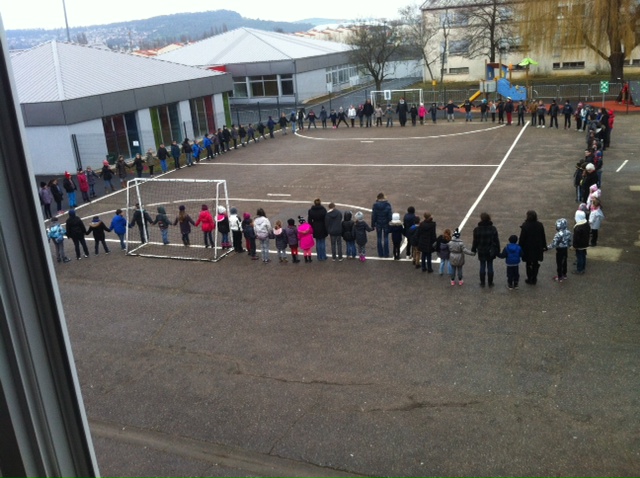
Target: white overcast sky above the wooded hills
column 19, row 14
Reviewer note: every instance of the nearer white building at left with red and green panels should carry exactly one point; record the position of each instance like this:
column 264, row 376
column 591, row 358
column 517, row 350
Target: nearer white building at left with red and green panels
column 81, row 105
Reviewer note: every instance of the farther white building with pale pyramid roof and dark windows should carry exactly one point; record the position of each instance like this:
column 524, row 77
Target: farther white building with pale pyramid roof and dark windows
column 270, row 67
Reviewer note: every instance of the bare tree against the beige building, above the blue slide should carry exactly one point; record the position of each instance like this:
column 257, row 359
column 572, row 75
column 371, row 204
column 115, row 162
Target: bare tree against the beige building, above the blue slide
column 486, row 25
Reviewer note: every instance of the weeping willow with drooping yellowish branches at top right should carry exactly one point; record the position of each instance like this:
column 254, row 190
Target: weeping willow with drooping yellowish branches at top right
column 607, row 27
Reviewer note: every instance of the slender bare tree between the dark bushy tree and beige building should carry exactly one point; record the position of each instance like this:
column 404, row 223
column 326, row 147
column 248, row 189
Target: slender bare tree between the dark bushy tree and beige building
column 417, row 34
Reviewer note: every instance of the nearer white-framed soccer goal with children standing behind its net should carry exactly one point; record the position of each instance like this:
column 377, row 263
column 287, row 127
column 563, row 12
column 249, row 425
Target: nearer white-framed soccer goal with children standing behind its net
column 148, row 195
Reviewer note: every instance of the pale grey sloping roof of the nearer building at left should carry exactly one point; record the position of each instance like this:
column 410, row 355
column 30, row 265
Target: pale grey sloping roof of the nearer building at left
column 58, row 71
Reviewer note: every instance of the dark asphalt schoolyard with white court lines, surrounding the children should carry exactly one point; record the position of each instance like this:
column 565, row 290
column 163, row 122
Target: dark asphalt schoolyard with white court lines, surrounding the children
column 346, row 369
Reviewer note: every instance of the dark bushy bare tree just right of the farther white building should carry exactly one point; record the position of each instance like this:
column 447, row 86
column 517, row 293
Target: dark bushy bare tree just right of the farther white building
column 373, row 47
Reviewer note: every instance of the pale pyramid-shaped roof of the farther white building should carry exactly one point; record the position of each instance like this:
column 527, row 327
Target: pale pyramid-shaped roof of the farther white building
column 246, row 45
